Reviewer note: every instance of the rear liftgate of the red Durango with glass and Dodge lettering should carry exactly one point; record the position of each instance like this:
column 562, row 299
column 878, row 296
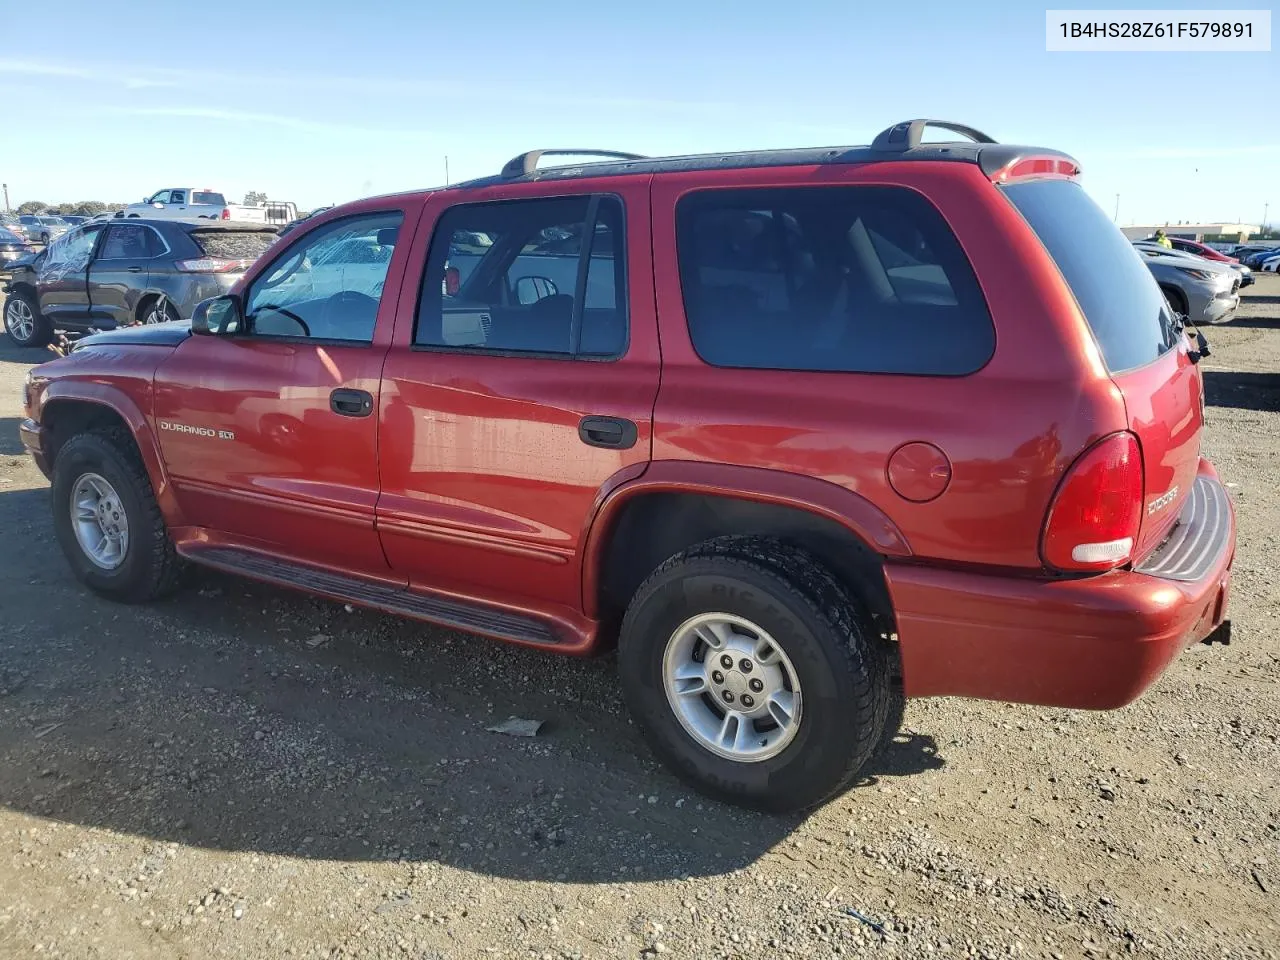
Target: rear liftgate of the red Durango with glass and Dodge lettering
column 1137, row 336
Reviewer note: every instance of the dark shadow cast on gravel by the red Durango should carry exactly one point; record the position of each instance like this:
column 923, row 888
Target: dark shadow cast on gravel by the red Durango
column 240, row 717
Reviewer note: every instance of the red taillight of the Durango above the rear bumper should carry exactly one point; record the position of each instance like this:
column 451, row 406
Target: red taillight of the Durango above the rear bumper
column 1094, row 522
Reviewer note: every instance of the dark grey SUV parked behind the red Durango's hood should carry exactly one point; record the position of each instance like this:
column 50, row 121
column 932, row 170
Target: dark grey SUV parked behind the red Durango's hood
column 138, row 272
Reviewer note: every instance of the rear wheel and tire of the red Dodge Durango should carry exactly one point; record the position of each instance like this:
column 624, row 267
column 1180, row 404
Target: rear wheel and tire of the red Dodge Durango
column 719, row 628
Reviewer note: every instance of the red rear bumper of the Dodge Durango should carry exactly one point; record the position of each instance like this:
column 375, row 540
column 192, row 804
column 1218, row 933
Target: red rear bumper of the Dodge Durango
column 1095, row 643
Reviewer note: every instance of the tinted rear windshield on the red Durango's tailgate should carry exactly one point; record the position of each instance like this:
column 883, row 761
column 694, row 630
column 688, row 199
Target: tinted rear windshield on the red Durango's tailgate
column 1117, row 292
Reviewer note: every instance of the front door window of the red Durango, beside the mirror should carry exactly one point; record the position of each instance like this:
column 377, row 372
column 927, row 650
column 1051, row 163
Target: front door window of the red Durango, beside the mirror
column 330, row 285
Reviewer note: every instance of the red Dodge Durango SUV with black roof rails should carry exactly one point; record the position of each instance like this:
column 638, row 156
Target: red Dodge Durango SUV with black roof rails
column 799, row 431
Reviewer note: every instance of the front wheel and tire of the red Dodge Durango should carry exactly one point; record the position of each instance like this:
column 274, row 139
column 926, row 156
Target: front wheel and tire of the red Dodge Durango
column 108, row 522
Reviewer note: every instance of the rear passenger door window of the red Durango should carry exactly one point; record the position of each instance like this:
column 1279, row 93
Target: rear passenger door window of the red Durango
column 515, row 277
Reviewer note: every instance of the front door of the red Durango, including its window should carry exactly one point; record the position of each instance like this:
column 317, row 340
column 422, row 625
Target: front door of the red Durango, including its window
column 271, row 435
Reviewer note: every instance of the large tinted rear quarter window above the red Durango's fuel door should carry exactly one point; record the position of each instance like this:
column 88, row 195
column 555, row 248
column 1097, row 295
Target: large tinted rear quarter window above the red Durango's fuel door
column 856, row 280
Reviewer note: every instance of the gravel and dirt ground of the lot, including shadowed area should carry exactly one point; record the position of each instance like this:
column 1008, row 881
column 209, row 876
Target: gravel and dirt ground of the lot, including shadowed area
column 249, row 774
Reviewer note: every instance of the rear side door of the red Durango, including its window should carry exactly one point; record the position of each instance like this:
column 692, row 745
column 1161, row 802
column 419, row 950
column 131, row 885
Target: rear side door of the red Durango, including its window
column 522, row 381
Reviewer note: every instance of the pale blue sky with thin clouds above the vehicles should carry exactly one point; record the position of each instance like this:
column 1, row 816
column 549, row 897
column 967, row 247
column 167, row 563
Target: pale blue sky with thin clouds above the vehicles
column 321, row 102
